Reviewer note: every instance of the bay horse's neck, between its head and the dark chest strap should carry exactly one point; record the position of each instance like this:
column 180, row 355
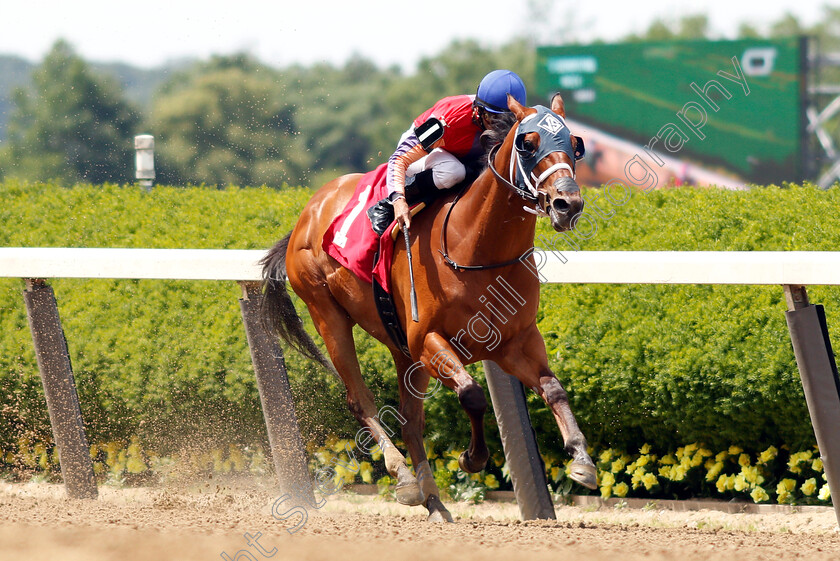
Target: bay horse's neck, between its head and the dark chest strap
column 498, row 228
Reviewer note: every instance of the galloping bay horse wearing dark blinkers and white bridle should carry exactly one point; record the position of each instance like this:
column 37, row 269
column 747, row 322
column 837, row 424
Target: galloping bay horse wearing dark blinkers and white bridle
column 488, row 231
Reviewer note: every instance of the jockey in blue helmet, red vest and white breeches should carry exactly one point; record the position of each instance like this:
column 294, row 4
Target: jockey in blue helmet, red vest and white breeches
column 454, row 125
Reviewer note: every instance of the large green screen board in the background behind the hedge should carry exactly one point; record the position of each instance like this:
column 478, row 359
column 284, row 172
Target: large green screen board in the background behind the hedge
column 736, row 106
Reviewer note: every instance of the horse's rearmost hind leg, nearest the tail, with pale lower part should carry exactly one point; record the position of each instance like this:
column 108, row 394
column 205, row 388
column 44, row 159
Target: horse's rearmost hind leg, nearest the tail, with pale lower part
column 336, row 328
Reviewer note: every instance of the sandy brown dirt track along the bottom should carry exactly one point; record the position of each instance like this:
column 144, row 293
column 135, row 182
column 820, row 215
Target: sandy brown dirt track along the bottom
column 38, row 523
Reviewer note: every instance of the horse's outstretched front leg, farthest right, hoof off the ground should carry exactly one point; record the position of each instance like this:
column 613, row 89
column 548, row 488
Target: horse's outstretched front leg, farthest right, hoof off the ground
column 527, row 361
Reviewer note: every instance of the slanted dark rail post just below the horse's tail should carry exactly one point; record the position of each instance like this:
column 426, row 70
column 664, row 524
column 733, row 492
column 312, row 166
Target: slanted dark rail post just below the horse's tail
column 284, row 439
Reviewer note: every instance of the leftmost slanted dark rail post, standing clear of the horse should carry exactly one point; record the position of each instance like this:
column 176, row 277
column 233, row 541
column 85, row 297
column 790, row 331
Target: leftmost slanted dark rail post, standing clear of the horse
column 60, row 390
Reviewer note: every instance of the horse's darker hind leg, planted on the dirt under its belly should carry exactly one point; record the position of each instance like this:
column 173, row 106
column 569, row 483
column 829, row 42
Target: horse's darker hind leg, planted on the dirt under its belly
column 412, row 396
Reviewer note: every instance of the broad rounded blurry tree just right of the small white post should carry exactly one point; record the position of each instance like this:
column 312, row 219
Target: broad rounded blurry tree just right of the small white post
column 227, row 122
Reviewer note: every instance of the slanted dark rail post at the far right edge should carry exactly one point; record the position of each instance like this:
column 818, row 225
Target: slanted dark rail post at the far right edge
column 818, row 370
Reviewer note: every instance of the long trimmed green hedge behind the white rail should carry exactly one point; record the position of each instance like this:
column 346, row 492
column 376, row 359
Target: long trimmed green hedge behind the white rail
column 661, row 365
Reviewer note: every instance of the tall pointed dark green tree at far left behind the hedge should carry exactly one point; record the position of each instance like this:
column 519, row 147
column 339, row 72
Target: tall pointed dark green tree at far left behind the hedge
column 71, row 125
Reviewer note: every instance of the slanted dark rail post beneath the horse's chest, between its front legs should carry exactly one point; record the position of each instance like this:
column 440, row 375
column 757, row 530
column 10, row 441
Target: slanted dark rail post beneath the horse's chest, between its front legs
column 527, row 470
